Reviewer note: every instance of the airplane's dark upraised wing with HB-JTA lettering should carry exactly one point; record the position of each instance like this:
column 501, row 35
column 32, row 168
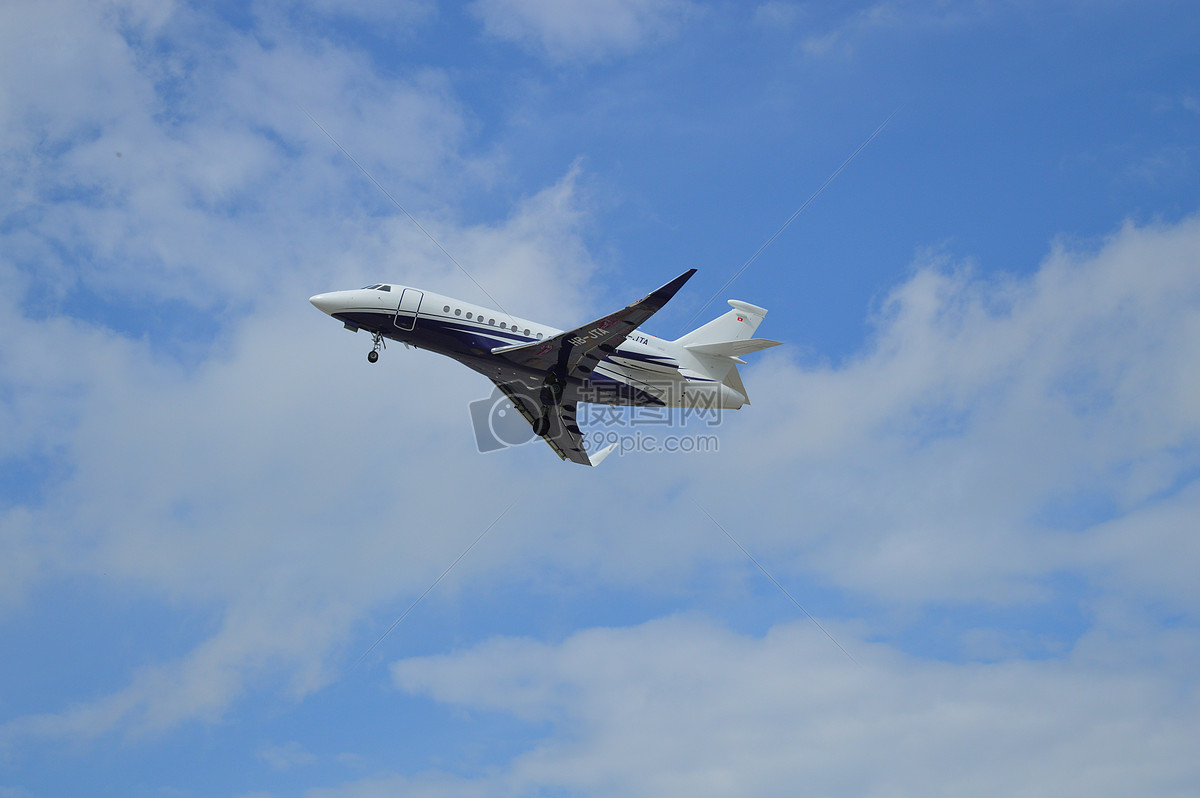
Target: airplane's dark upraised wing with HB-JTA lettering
column 575, row 353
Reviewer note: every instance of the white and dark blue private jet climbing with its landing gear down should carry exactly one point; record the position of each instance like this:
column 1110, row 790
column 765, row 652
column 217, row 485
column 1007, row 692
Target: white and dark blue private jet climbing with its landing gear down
column 547, row 373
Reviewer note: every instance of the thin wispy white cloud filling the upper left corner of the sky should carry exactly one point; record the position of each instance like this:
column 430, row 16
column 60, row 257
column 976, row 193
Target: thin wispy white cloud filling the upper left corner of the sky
column 145, row 173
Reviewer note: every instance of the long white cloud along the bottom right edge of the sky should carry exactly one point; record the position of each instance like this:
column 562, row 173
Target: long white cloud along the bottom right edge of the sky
column 680, row 706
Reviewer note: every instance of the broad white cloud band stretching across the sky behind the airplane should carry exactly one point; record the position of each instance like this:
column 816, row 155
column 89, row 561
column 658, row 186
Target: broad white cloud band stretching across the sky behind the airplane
column 963, row 458
